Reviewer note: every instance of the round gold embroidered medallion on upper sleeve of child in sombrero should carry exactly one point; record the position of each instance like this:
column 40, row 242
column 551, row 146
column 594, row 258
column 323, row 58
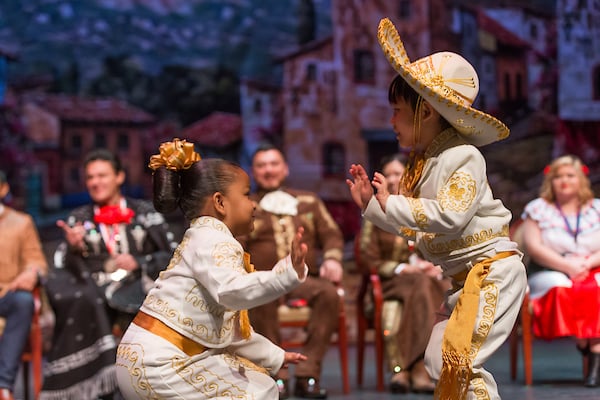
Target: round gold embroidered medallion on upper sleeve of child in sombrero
column 457, row 195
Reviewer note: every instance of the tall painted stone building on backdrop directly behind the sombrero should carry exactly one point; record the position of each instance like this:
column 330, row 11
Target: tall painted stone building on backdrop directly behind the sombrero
column 335, row 91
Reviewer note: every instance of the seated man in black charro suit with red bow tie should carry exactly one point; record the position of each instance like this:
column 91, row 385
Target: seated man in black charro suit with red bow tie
column 115, row 248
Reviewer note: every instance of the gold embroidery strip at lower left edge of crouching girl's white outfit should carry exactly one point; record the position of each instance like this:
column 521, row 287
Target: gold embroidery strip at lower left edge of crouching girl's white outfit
column 130, row 356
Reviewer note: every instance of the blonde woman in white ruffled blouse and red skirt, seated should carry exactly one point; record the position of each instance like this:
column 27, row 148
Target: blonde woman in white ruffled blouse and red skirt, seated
column 562, row 237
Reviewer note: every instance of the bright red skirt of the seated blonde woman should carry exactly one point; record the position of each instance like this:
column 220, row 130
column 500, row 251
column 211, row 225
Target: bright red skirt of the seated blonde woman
column 569, row 311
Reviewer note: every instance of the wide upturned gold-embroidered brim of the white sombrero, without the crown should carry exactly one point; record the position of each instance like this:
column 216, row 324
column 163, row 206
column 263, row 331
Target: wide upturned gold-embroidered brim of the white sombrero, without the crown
column 475, row 126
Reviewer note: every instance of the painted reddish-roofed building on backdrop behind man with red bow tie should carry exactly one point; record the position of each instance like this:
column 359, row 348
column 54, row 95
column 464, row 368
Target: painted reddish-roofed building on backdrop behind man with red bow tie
column 64, row 128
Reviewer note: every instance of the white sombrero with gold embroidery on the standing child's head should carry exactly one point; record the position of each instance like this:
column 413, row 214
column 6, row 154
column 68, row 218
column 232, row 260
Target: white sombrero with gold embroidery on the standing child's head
column 446, row 81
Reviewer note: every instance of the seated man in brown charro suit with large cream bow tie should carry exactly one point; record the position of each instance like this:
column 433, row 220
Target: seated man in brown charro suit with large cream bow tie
column 279, row 214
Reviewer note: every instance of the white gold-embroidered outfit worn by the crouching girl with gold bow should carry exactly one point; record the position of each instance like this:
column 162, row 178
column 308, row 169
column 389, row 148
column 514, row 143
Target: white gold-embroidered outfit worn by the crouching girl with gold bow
column 200, row 296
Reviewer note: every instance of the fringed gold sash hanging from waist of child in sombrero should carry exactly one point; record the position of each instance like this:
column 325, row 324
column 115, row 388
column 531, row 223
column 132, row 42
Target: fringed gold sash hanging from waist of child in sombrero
column 457, row 366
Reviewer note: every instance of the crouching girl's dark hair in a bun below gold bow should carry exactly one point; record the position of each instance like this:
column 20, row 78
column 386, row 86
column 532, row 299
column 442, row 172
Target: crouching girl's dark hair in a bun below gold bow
column 190, row 188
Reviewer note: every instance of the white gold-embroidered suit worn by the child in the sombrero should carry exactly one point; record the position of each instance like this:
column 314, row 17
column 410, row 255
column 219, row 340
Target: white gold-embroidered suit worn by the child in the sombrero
column 456, row 223
